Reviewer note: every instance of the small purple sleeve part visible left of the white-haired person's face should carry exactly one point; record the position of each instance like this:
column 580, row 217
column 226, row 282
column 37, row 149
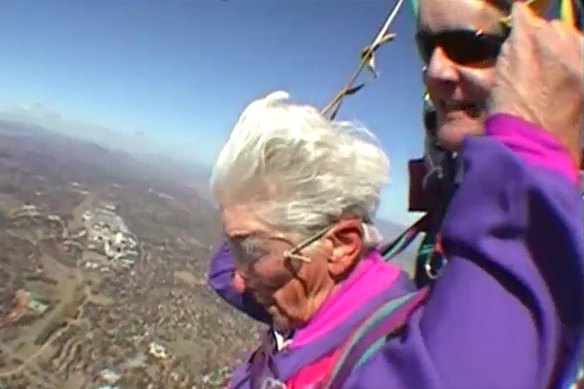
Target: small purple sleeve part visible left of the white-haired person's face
column 220, row 279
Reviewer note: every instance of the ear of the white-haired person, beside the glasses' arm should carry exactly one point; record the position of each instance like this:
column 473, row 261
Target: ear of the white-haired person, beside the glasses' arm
column 346, row 239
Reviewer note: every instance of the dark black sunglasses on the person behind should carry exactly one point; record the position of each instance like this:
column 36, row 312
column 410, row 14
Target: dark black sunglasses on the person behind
column 465, row 47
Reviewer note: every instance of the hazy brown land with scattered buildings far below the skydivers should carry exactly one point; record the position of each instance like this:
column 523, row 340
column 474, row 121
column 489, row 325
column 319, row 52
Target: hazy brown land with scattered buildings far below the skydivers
column 102, row 269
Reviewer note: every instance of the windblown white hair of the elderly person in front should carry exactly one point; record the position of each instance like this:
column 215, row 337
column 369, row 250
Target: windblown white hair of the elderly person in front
column 298, row 170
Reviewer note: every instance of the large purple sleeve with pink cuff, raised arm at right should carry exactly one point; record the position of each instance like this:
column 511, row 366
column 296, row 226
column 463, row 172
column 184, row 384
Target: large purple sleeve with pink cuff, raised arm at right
column 507, row 311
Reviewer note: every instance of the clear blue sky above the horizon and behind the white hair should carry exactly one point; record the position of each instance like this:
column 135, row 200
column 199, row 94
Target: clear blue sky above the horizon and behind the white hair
column 180, row 72
